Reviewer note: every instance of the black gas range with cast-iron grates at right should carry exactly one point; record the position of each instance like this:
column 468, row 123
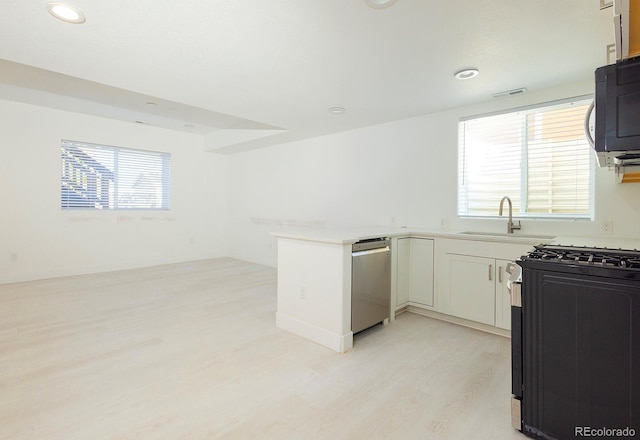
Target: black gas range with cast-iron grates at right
column 575, row 321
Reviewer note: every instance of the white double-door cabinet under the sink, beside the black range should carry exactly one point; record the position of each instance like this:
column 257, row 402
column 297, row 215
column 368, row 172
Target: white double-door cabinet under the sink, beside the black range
column 478, row 289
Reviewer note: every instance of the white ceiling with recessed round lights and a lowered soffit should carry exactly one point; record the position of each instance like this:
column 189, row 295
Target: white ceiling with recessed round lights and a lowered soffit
column 252, row 73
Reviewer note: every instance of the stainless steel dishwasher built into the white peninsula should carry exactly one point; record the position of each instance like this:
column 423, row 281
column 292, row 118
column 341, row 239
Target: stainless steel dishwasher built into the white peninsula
column 370, row 283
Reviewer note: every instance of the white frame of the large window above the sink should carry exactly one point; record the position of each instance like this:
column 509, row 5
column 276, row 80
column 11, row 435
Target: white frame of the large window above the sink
column 524, row 170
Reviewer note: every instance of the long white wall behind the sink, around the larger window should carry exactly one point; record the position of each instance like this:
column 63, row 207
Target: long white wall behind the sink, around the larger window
column 400, row 173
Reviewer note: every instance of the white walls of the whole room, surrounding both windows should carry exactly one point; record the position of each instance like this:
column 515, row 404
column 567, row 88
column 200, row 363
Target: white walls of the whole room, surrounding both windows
column 399, row 173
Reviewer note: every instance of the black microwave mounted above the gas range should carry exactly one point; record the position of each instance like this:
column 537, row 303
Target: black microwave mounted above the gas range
column 617, row 111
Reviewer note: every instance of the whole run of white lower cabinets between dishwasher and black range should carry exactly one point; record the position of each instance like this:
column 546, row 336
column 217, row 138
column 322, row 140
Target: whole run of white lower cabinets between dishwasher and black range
column 470, row 280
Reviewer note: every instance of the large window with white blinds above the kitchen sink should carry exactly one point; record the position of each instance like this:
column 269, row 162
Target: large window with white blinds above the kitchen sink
column 539, row 157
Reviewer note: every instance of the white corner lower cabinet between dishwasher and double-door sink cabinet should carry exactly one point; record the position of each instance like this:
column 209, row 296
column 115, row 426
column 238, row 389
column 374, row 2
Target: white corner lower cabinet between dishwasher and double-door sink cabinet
column 414, row 282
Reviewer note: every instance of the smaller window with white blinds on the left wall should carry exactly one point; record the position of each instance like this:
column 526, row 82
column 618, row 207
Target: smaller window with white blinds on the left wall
column 104, row 177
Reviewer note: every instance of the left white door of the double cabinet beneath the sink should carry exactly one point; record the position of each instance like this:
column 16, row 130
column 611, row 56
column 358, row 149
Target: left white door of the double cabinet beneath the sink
column 472, row 283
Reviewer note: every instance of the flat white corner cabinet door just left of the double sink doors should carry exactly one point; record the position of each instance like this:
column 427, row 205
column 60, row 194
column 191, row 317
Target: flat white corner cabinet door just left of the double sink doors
column 421, row 272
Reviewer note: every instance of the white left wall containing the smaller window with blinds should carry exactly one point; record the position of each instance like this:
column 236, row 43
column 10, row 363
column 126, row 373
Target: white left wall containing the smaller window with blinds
column 39, row 240
